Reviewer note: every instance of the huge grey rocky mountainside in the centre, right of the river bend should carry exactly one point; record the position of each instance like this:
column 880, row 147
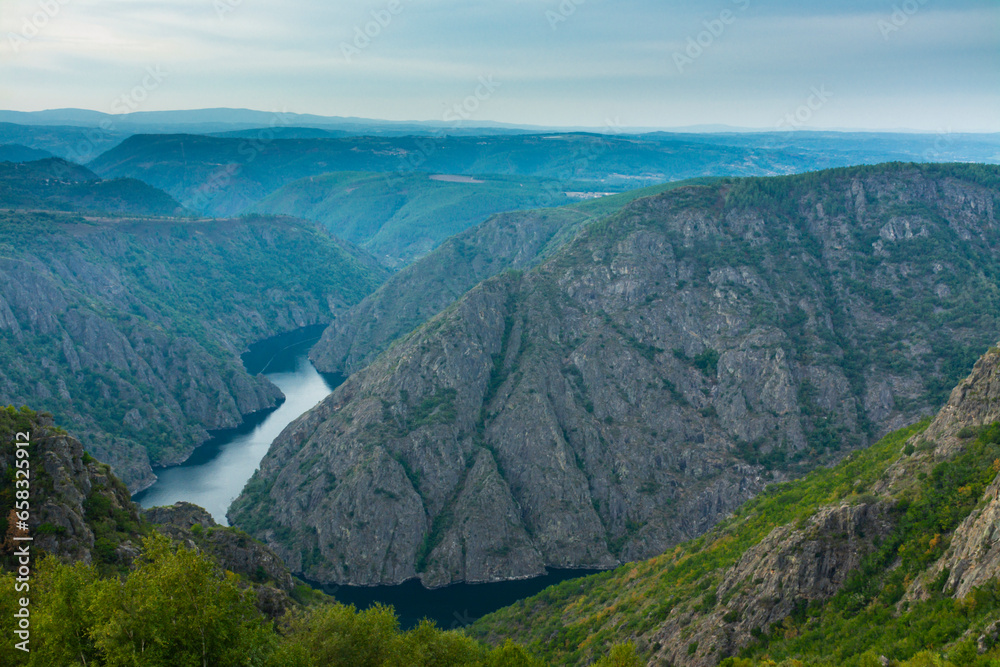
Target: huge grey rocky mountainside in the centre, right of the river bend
column 654, row 374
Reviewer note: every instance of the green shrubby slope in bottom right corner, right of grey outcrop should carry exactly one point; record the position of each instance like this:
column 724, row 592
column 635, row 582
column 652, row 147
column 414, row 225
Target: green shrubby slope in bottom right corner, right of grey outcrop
column 867, row 618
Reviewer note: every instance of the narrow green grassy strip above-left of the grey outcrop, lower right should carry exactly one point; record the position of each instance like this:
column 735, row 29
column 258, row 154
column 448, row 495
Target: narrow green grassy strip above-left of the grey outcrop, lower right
column 567, row 622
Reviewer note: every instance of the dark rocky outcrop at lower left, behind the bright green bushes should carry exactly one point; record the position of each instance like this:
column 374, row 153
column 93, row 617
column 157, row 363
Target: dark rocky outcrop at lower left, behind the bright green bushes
column 81, row 512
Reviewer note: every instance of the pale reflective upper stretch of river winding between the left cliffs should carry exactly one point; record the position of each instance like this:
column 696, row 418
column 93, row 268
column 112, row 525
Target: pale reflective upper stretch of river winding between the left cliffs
column 217, row 471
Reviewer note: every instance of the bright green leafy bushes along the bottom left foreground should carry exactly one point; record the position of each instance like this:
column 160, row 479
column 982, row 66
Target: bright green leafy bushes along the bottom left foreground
column 176, row 608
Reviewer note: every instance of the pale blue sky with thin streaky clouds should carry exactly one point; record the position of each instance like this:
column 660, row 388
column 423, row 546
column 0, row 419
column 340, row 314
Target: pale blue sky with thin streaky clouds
column 929, row 65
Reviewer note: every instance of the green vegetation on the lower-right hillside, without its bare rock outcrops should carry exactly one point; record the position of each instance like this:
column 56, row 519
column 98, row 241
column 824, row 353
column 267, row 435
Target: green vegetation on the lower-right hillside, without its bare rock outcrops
column 874, row 613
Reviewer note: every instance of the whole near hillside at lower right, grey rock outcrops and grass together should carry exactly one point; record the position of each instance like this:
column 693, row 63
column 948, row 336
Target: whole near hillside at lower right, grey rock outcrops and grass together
column 712, row 598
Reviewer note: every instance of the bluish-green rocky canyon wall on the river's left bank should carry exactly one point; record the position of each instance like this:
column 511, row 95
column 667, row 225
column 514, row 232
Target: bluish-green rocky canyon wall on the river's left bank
column 130, row 331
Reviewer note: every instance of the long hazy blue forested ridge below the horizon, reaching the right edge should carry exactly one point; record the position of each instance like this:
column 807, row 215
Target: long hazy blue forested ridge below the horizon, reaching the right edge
column 226, row 175
